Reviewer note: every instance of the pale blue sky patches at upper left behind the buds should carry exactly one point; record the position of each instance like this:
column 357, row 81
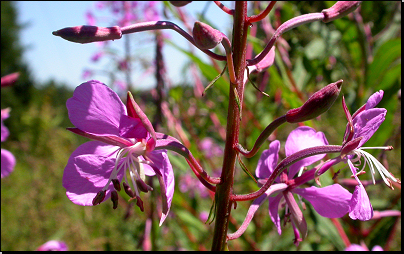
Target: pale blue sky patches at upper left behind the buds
column 51, row 57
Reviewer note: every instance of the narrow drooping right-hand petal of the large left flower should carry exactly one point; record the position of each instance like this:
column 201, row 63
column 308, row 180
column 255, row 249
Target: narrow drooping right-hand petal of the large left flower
column 161, row 161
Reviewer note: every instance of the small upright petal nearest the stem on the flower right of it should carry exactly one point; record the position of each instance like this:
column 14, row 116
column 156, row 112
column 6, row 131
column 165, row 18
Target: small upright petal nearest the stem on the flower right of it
column 268, row 160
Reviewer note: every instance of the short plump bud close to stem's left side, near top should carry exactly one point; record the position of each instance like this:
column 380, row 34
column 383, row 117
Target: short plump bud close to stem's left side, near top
column 205, row 36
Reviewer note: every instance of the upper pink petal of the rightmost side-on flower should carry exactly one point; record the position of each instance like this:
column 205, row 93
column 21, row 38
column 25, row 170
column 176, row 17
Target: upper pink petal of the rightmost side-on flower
column 367, row 122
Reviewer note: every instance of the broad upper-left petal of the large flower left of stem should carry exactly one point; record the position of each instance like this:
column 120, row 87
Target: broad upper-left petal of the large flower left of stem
column 95, row 108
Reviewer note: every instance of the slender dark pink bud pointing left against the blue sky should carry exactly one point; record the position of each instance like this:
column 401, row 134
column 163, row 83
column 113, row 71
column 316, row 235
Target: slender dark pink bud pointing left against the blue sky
column 87, row 34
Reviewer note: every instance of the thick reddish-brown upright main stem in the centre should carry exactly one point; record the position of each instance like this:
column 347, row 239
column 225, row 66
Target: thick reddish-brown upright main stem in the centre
column 225, row 188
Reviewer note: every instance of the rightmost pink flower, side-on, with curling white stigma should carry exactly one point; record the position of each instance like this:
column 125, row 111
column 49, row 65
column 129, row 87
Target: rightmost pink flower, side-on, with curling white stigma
column 361, row 127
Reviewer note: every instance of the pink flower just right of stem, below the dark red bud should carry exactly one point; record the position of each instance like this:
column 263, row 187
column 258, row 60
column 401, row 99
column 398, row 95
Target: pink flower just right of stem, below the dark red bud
column 331, row 201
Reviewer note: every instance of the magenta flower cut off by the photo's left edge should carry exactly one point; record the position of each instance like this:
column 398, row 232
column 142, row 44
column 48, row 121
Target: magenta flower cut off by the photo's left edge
column 7, row 158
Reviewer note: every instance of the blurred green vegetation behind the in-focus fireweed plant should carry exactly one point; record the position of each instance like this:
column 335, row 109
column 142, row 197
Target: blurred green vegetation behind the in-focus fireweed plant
column 363, row 49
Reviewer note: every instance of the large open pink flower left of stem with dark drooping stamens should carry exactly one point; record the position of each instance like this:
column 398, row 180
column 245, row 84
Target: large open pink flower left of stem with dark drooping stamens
column 125, row 145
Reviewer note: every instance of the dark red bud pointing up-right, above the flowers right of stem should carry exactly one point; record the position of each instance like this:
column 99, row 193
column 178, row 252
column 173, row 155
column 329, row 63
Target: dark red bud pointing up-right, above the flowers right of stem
column 317, row 104
